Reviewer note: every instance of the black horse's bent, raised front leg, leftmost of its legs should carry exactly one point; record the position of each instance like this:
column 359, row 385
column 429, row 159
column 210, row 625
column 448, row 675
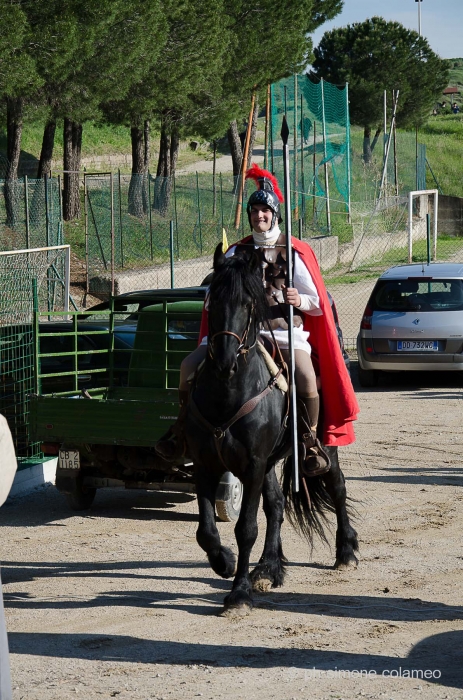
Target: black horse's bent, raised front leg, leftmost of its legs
column 221, row 559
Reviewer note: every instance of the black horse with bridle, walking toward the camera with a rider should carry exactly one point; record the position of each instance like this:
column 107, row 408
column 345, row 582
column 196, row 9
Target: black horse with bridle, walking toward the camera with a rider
column 236, row 422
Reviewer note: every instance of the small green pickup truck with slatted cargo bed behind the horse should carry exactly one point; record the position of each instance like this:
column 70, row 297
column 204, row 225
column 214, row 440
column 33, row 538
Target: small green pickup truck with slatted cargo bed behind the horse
column 124, row 397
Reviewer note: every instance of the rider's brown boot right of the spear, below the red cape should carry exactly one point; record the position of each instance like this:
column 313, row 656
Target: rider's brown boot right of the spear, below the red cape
column 313, row 459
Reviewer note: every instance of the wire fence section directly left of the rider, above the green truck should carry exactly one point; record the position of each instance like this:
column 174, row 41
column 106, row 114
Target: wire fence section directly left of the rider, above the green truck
column 140, row 224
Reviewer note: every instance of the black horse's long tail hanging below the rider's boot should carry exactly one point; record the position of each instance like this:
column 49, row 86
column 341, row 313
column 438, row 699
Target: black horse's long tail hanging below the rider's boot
column 307, row 509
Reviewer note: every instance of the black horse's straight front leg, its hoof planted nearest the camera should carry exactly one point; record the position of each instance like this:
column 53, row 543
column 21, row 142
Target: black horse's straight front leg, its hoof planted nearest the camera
column 239, row 600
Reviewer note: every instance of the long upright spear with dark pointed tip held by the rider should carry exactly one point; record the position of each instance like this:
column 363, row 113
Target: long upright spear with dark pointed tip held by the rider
column 289, row 283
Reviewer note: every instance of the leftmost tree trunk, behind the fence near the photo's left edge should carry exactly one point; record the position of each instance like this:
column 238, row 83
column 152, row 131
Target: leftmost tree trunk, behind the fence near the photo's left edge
column 14, row 109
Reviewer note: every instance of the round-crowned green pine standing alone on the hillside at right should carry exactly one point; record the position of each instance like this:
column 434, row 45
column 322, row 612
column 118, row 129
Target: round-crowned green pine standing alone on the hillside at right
column 374, row 56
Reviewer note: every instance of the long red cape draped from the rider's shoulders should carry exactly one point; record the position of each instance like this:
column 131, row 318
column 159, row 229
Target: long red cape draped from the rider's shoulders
column 340, row 405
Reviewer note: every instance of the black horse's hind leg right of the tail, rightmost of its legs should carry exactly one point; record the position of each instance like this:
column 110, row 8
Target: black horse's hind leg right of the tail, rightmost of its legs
column 346, row 536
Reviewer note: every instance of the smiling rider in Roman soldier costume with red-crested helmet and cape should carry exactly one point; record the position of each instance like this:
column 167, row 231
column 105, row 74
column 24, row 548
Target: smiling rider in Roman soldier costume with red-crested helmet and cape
column 314, row 330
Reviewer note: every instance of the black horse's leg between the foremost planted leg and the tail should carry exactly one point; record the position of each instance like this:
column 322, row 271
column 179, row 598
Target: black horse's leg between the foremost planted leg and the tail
column 270, row 571
